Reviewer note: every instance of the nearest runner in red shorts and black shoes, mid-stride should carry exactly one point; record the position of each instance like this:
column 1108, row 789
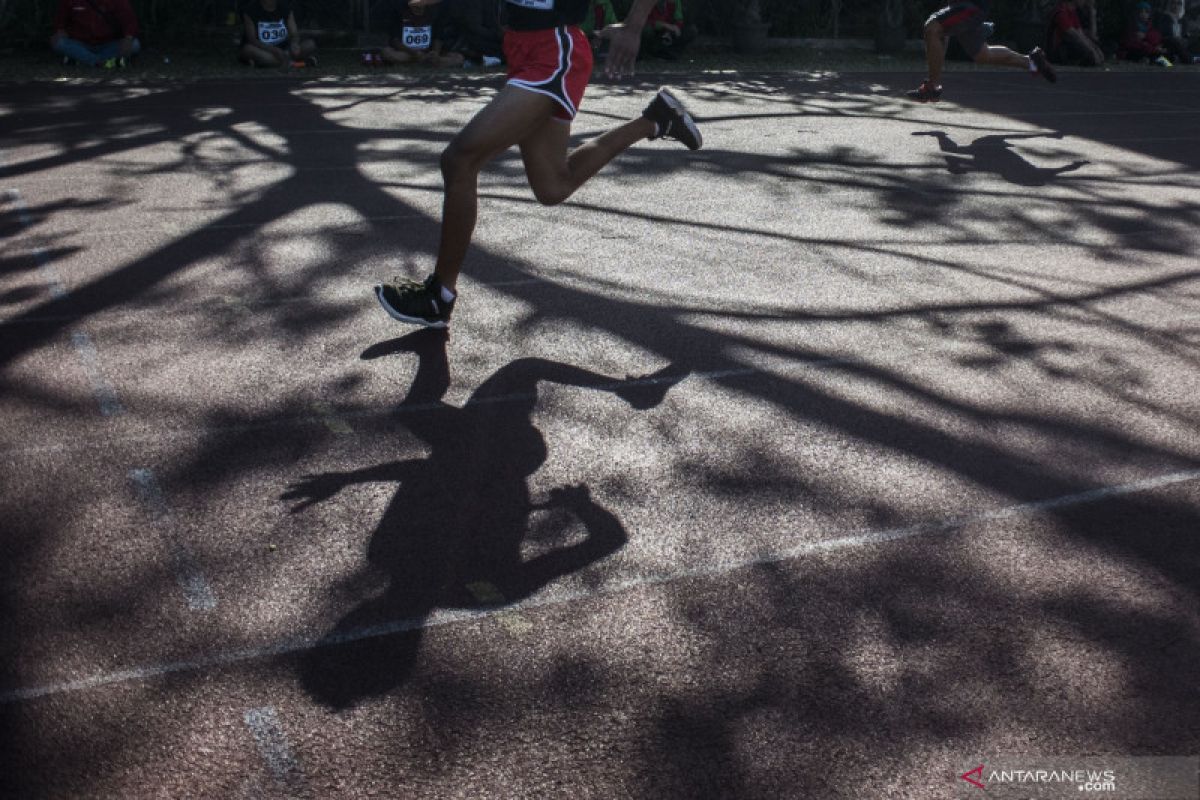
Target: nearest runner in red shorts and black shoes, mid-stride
column 550, row 62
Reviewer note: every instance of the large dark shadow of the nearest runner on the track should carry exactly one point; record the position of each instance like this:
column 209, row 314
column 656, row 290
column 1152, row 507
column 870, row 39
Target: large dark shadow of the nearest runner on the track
column 452, row 537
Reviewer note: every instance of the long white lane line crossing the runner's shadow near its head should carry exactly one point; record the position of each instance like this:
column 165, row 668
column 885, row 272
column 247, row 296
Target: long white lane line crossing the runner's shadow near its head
column 291, row 647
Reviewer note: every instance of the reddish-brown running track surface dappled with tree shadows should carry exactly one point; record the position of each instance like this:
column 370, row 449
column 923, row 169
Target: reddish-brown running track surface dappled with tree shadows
column 857, row 448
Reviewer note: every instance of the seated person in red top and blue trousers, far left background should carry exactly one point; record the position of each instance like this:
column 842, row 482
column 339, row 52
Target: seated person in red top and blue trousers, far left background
column 97, row 33
